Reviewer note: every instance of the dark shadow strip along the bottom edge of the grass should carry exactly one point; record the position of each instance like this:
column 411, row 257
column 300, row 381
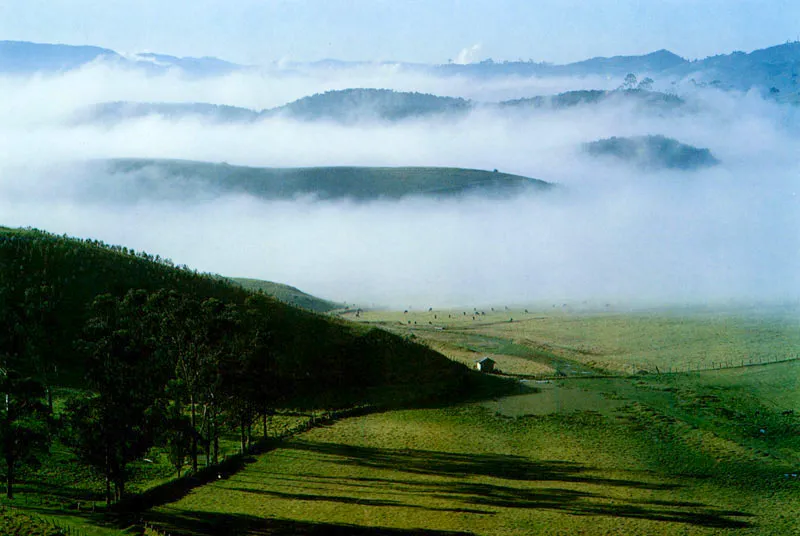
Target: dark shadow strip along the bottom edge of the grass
column 183, row 523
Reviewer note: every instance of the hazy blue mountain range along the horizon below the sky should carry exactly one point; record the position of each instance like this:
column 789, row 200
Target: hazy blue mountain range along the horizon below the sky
column 774, row 67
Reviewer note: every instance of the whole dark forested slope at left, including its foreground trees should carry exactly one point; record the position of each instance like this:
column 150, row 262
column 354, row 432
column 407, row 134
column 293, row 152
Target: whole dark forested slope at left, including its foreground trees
column 158, row 356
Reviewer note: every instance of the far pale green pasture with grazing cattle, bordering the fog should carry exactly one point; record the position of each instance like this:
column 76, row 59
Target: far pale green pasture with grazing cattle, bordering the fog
column 537, row 343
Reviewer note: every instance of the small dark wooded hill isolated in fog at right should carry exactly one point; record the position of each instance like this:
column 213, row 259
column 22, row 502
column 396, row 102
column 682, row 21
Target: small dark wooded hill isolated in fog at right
column 653, row 152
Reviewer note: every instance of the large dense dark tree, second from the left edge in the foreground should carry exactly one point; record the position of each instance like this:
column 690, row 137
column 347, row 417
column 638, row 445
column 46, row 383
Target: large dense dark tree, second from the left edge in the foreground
column 121, row 420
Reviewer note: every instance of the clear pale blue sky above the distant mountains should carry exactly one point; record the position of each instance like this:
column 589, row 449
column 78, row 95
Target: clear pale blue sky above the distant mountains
column 254, row 31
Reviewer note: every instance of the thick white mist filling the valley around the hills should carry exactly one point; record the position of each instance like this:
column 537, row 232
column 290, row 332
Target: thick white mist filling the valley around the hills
column 612, row 233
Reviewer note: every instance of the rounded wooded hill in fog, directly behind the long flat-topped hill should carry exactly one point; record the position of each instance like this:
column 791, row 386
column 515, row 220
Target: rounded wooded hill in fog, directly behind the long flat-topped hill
column 350, row 105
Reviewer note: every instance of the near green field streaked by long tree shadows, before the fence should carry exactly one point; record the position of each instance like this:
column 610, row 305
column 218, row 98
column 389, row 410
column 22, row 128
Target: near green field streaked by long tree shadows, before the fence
column 681, row 456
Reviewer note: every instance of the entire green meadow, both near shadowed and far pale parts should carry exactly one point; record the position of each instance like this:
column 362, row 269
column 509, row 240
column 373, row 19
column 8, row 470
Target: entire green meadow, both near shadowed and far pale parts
column 709, row 452
